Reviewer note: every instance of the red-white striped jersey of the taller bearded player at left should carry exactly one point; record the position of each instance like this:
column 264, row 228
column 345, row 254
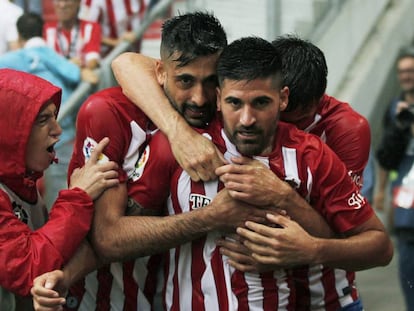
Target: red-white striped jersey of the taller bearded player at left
column 108, row 113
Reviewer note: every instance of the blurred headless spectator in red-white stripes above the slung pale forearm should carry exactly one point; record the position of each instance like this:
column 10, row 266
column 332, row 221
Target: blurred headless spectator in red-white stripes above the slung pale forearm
column 118, row 19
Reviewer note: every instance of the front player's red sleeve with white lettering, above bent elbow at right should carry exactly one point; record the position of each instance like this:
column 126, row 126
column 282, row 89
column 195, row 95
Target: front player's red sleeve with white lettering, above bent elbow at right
column 334, row 194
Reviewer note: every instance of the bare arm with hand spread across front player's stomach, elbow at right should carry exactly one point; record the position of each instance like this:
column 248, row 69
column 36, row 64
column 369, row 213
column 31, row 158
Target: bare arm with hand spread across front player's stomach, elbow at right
column 289, row 245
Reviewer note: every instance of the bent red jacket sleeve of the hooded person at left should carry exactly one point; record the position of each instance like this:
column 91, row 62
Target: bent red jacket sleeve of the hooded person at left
column 25, row 254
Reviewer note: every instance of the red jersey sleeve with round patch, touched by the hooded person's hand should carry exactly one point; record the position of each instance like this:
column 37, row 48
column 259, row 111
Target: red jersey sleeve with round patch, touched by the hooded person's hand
column 97, row 119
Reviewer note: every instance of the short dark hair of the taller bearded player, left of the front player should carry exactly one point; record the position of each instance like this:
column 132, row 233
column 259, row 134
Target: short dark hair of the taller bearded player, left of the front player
column 192, row 35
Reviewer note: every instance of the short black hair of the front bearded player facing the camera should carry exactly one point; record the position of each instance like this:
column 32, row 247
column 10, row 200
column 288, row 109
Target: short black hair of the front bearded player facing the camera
column 248, row 58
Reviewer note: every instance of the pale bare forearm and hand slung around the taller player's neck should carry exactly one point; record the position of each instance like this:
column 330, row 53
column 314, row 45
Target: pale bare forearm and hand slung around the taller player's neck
column 136, row 74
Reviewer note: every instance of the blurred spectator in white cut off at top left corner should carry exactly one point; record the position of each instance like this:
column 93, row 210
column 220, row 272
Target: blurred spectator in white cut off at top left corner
column 8, row 31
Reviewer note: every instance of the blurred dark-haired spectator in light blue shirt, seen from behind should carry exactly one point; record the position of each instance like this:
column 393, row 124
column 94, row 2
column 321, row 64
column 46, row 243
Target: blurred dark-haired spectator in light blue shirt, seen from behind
column 37, row 58
